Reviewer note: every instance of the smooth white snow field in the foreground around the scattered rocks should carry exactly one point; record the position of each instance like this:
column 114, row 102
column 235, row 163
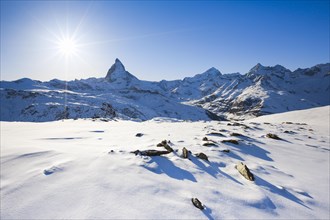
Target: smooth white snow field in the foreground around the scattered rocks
column 66, row 170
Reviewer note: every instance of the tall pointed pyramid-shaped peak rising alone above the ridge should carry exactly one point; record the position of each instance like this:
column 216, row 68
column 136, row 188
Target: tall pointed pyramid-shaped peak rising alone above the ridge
column 117, row 72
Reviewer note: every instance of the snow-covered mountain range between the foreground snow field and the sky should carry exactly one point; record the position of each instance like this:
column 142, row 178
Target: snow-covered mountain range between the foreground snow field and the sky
column 206, row 96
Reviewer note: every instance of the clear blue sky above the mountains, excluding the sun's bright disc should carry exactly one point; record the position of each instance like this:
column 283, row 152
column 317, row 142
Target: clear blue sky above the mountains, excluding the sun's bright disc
column 160, row 40
